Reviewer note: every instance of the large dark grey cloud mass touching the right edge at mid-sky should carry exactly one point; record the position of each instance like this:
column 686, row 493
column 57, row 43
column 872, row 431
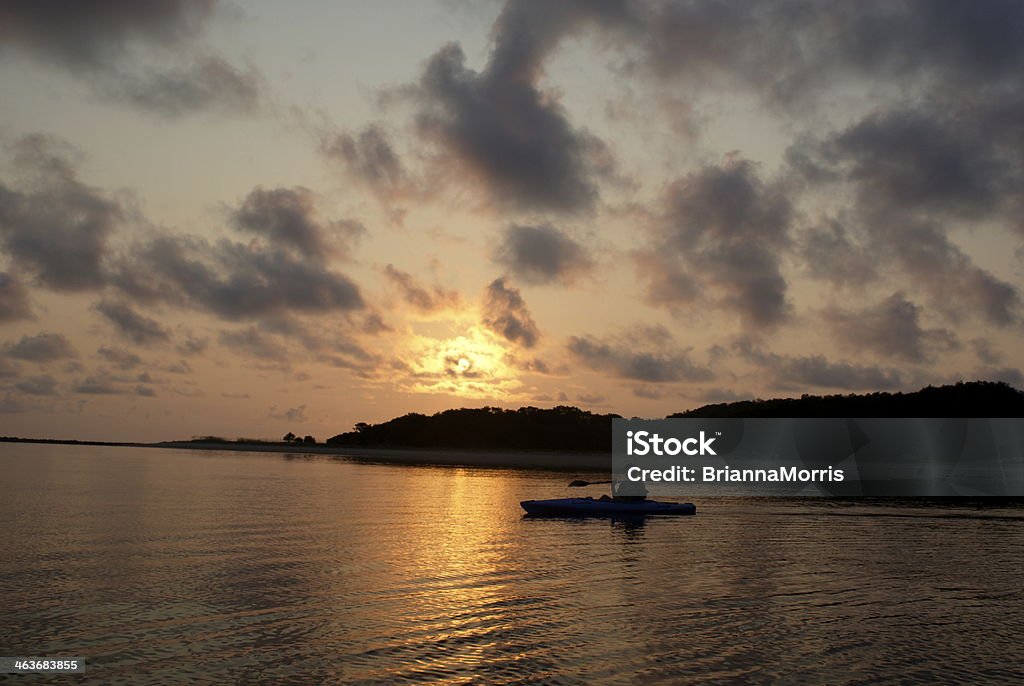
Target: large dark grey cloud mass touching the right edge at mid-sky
column 917, row 175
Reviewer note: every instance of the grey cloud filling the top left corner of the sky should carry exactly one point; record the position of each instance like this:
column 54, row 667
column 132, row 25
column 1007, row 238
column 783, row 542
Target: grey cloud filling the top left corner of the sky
column 145, row 54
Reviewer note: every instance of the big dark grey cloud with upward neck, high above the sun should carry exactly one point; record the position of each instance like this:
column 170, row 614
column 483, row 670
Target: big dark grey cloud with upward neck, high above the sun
column 503, row 131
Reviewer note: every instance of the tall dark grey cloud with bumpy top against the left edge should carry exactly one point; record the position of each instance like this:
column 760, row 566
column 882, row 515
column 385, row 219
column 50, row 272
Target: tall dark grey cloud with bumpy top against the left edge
column 55, row 227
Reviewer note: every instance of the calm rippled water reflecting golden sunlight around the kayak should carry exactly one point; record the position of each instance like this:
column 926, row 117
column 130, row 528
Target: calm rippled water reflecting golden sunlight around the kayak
column 163, row 567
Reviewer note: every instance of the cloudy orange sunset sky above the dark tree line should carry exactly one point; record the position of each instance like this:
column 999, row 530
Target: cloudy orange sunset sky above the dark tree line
column 244, row 220
